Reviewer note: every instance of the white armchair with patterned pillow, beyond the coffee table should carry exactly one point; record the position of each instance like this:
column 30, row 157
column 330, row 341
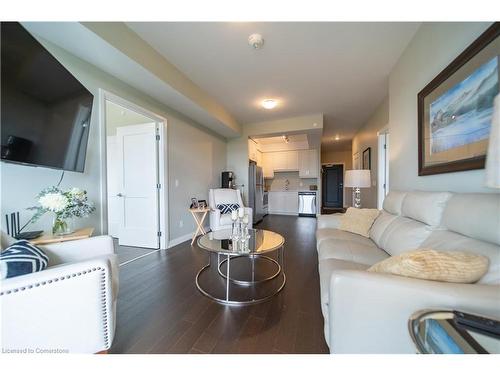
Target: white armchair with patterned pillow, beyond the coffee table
column 218, row 220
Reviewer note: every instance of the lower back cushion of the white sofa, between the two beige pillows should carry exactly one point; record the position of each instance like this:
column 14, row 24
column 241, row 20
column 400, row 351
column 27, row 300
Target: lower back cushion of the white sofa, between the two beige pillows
column 403, row 234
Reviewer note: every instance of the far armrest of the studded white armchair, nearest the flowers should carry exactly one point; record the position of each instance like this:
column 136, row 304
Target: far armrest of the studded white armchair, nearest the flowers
column 74, row 251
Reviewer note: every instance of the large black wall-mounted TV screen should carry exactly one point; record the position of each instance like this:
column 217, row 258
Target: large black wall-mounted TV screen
column 45, row 110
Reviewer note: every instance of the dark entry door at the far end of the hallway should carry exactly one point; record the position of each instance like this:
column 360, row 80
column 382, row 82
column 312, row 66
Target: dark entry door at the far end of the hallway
column 332, row 187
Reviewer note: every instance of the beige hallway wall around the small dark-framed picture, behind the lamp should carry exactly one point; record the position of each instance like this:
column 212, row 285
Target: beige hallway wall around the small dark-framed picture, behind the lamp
column 367, row 137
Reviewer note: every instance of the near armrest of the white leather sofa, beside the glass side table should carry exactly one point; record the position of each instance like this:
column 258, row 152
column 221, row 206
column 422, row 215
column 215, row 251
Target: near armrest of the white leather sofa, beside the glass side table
column 369, row 312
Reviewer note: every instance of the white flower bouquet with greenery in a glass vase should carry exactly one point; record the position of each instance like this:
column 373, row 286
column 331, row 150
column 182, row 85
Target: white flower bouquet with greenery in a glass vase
column 65, row 204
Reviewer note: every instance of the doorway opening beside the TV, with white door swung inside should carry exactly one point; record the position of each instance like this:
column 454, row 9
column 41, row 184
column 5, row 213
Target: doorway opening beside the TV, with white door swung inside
column 135, row 179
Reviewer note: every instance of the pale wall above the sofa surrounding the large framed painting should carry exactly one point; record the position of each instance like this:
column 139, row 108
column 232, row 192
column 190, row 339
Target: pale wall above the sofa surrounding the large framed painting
column 434, row 46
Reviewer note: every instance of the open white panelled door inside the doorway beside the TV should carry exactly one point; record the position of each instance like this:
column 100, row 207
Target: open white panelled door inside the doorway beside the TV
column 138, row 185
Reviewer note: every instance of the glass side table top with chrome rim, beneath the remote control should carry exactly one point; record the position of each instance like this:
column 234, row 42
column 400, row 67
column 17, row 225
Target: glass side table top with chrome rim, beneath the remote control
column 436, row 332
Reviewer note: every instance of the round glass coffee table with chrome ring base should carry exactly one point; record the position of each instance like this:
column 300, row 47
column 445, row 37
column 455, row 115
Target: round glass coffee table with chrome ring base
column 255, row 278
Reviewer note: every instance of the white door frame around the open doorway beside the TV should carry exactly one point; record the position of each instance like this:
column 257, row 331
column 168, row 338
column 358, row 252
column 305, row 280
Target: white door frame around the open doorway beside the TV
column 161, row 125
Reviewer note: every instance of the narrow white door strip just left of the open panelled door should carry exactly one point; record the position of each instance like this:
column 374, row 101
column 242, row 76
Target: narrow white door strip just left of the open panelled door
column 114, row 201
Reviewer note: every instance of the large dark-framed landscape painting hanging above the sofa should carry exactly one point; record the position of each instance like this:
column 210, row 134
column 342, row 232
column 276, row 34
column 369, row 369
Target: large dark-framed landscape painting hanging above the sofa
column 455, row 109
